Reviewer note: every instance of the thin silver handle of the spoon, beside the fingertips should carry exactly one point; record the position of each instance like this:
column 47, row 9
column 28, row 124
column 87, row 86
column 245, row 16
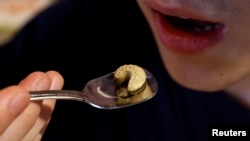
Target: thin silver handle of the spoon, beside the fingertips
column 57, row 94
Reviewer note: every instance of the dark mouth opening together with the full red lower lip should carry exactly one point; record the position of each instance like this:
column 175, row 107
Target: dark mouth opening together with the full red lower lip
column 187, row 35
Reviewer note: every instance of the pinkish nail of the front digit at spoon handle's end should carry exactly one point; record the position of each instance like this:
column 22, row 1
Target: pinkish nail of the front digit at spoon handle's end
column 18, row 103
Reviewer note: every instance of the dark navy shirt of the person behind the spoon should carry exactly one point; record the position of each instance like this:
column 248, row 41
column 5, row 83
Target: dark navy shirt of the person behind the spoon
column 85, row 39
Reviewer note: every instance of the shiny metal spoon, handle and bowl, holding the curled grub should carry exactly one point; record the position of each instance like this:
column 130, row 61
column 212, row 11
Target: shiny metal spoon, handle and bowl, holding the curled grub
column 99, row 93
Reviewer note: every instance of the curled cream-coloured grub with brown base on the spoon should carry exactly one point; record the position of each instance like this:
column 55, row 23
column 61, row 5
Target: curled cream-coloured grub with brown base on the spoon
column 131, row 84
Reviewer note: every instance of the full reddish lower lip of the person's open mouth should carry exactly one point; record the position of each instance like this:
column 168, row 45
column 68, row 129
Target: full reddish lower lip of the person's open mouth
column 185, row 42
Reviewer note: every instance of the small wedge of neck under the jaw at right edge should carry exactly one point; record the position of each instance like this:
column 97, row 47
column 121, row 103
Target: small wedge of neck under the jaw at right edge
column 241, row 91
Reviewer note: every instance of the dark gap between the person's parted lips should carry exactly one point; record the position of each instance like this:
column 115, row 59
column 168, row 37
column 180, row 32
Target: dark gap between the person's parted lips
column 192, row 25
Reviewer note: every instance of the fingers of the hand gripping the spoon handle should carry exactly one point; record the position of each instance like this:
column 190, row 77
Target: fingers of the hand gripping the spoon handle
column 22, row 118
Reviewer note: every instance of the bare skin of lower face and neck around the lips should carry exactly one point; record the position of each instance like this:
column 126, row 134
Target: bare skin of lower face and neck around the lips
column 225, row 66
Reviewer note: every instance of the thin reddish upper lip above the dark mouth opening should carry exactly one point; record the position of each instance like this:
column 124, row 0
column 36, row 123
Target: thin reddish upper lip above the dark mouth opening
column 178, row 10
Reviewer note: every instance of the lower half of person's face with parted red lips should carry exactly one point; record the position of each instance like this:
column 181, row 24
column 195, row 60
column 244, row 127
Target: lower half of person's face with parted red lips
column 204, row 44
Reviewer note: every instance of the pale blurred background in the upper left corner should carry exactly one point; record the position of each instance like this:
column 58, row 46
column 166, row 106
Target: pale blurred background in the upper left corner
column 14, row 14
